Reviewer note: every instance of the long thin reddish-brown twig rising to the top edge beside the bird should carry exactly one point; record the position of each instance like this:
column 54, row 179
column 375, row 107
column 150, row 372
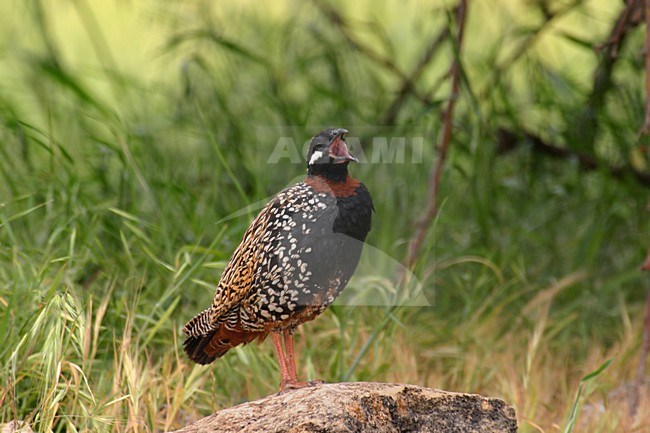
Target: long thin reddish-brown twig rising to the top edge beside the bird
column 434, row 181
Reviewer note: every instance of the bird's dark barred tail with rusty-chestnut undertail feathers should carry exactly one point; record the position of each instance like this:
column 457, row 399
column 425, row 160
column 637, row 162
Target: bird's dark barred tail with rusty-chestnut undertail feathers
column 204, row 344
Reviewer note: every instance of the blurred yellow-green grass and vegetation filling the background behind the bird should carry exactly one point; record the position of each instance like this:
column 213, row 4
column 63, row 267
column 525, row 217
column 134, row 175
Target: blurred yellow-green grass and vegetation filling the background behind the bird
column 131, row 132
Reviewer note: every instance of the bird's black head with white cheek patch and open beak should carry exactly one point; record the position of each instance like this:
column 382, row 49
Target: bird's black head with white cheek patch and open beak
column 329, row 155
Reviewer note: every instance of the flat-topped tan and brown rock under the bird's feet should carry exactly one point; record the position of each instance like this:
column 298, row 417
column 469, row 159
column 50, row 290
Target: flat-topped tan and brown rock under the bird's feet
column 363, row 407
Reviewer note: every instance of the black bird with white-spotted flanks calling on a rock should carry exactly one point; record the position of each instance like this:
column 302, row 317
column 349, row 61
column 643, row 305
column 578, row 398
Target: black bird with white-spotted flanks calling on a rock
column 295, row 258
